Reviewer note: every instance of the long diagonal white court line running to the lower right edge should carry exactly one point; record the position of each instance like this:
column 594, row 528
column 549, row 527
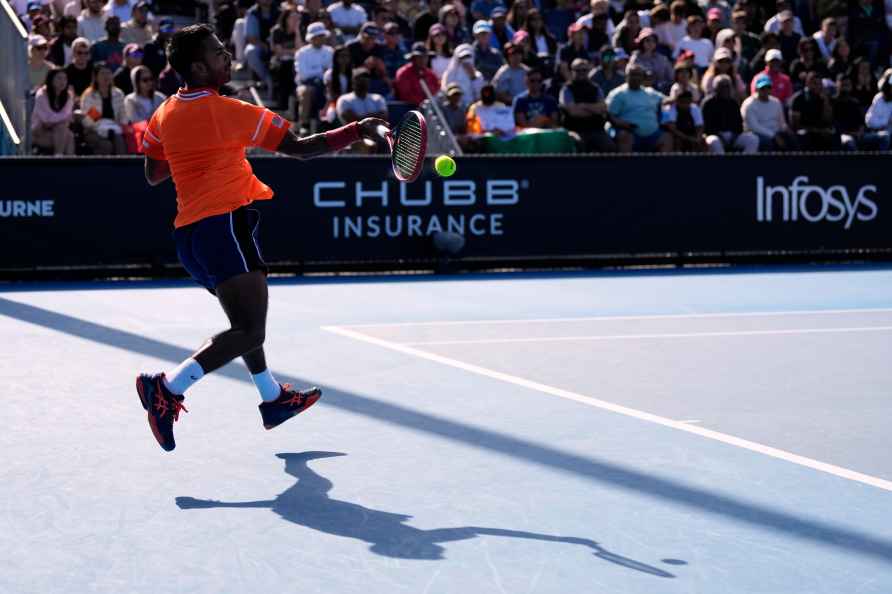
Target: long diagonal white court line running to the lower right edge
column 623, row 410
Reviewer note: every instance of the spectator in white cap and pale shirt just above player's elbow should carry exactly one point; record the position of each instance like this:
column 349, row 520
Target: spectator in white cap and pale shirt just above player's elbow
column 310, row 63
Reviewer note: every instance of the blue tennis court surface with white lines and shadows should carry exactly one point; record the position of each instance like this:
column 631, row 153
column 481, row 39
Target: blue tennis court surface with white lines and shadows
column 710, row 431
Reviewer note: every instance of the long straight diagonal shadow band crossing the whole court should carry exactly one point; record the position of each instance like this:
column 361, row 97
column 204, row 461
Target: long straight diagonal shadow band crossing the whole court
column 600, row 471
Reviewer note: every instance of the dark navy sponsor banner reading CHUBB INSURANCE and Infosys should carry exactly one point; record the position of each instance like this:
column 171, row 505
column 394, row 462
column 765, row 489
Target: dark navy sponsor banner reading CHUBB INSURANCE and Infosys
column 101, row 212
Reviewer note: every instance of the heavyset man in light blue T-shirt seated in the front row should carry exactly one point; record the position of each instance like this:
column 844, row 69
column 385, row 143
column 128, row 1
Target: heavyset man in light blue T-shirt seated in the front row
column 634, row 115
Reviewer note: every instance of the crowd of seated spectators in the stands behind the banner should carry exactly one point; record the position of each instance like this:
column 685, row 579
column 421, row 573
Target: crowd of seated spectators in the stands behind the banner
column 615, row 75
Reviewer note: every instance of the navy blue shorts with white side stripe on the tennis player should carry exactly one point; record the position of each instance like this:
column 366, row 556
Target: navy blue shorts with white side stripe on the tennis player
column 217, row 248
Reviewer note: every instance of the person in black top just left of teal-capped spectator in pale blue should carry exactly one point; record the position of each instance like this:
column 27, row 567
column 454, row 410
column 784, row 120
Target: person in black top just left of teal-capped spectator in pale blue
column 723, row 123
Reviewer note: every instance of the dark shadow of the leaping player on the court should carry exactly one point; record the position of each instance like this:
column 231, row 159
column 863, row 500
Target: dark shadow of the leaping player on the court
column 307, row 503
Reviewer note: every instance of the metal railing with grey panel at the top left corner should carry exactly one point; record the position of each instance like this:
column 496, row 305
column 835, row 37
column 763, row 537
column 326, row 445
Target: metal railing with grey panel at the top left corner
column 14, row 84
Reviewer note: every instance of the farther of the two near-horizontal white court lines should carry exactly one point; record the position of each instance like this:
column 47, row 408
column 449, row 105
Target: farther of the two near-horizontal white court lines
column 744, row 314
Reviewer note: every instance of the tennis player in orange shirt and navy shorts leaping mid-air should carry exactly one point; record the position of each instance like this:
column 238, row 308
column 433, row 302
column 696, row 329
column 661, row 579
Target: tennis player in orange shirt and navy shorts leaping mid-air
column 199, row 138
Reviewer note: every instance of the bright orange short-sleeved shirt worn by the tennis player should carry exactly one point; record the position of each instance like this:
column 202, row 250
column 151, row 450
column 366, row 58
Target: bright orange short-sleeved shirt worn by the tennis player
column 203, row 137
